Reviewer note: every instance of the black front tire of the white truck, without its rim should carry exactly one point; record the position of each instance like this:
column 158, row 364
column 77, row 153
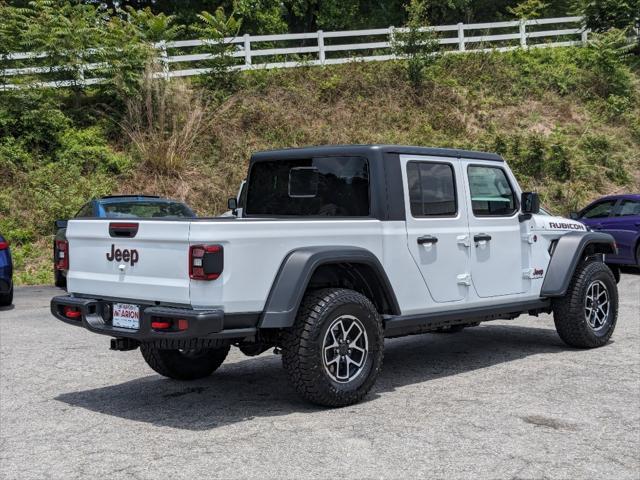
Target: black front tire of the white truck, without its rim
column 569, row 311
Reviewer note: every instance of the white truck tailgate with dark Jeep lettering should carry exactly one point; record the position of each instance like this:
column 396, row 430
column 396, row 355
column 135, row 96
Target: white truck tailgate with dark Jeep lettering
column 148, row 264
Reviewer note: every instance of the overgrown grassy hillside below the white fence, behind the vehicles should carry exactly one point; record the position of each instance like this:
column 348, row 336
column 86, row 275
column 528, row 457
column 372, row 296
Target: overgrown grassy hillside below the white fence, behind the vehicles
column 567, row 120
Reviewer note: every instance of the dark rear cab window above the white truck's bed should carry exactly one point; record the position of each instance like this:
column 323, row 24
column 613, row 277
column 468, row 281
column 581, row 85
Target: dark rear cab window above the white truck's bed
column 326, row 186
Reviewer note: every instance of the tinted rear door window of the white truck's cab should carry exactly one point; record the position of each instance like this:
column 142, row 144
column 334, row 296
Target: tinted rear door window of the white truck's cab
column 432, row 190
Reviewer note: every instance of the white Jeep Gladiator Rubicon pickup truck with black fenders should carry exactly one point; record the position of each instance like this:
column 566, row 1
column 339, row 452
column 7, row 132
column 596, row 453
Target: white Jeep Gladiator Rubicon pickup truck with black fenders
column 336, row 248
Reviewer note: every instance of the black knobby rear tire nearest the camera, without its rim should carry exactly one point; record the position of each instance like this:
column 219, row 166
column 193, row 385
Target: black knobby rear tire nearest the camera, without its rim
column 303, row 346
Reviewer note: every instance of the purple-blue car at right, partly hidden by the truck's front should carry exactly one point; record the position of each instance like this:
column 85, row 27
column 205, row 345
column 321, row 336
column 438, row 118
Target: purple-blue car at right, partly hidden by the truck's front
column 618, row 215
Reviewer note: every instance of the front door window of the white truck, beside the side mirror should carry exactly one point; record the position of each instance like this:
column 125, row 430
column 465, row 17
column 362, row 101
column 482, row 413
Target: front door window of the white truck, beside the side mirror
column 491, row 193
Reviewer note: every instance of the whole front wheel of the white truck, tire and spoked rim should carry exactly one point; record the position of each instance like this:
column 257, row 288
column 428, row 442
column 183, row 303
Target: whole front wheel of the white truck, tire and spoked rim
column 586, row 316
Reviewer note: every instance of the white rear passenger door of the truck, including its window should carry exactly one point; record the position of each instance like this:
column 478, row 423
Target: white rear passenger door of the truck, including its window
column 437, row 232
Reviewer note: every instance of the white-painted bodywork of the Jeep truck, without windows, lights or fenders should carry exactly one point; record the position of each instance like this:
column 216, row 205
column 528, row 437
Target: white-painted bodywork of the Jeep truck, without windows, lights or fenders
column 424, row 279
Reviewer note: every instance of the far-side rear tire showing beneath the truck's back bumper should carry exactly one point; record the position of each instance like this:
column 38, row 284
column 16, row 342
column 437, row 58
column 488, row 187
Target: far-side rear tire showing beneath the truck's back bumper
column 184, row 364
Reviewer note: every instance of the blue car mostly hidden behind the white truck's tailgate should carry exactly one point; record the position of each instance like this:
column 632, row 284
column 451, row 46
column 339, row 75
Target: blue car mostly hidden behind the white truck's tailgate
column 113, row 206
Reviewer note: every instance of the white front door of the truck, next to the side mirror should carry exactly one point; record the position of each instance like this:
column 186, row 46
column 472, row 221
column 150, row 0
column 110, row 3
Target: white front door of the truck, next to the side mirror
column 497, row 255
